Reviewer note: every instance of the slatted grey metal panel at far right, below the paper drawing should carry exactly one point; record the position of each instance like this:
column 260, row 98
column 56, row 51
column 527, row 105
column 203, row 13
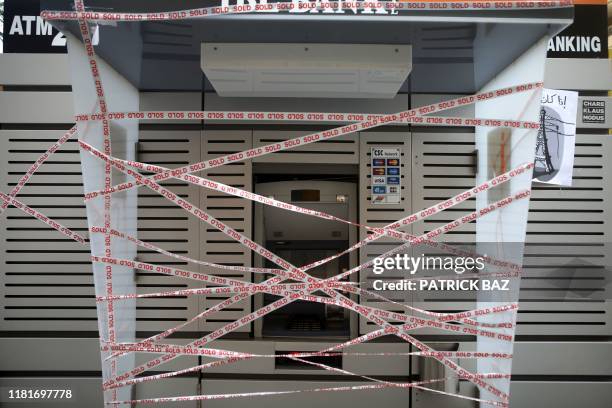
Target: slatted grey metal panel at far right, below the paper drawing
column 567, row 252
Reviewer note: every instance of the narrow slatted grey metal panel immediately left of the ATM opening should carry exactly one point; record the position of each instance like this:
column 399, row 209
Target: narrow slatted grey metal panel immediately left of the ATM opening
column 234, row 211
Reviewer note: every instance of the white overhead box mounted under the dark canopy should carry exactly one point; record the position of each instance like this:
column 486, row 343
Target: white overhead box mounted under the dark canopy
column 306, row 70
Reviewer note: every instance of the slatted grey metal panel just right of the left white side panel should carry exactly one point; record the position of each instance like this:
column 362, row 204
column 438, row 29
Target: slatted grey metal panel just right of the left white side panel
column 168, row 226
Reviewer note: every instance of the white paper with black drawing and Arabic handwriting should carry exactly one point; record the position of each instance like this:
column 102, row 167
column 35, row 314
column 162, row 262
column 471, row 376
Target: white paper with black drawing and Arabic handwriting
column 555, row 144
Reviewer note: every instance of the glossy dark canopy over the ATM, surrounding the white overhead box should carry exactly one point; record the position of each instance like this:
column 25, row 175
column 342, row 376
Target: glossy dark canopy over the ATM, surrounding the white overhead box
column 452, row 51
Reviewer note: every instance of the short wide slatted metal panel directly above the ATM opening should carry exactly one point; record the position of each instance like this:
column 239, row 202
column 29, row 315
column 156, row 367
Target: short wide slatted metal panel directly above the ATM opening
column 339, row 150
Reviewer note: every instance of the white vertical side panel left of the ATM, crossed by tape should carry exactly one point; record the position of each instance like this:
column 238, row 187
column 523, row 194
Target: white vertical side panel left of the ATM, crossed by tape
column 121, row 96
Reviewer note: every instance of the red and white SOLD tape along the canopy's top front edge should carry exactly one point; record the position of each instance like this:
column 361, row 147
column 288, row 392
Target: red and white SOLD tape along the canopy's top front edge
column 297, row 7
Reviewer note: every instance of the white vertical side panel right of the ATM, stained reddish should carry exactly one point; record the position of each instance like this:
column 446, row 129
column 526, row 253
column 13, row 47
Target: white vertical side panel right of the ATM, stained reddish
column 501, row 234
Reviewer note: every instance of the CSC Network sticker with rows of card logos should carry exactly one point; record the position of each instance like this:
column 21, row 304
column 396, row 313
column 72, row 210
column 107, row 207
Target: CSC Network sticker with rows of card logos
column 386, row 162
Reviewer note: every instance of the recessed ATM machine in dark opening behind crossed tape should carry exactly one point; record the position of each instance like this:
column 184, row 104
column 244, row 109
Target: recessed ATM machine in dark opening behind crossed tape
column 302, row 240
